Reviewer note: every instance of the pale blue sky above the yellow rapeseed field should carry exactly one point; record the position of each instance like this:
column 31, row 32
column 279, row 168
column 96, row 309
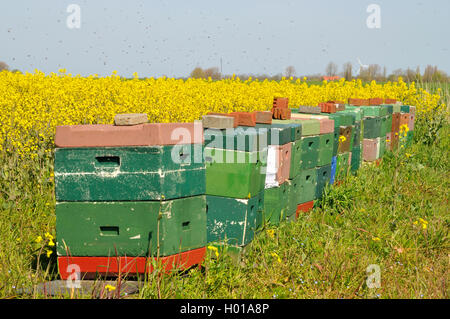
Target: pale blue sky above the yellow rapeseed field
column 156, row 38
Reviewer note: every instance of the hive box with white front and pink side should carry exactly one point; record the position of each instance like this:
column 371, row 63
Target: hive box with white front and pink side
column 278, row 164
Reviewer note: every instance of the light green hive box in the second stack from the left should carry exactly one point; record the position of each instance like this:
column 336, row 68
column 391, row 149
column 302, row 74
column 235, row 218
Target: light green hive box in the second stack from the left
column 234, row 173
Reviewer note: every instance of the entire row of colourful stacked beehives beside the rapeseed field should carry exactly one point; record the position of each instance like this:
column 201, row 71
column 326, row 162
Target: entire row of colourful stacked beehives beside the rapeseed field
column 167, row 191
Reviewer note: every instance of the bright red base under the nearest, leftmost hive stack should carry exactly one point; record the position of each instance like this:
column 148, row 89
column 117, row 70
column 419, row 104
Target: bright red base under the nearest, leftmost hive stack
column 127, row 265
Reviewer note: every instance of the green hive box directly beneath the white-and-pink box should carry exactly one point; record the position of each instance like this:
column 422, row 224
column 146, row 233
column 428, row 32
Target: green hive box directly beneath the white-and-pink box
column 276, row 200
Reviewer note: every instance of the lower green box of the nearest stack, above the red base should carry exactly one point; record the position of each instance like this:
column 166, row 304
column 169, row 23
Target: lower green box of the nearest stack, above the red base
column 130, row 228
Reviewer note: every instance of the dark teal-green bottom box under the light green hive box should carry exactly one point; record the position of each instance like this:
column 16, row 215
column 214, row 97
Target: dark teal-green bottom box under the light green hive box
column 233, row 221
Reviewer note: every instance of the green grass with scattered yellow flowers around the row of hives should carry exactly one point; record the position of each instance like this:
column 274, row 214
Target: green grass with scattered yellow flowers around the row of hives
column 369, row 219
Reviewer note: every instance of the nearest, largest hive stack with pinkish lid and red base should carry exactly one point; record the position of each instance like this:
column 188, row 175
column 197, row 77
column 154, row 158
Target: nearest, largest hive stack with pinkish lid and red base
column 127, row 194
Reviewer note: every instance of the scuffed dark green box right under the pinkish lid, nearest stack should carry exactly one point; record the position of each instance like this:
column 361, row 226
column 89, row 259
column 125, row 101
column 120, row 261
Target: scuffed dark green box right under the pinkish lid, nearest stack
column 129, row 173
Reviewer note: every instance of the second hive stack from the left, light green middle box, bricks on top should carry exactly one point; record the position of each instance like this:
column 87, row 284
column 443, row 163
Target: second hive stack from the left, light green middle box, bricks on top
column 235, row 177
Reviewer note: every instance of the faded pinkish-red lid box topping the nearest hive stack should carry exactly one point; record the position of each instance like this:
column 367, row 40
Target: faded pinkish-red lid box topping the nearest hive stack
column 150, row 134
